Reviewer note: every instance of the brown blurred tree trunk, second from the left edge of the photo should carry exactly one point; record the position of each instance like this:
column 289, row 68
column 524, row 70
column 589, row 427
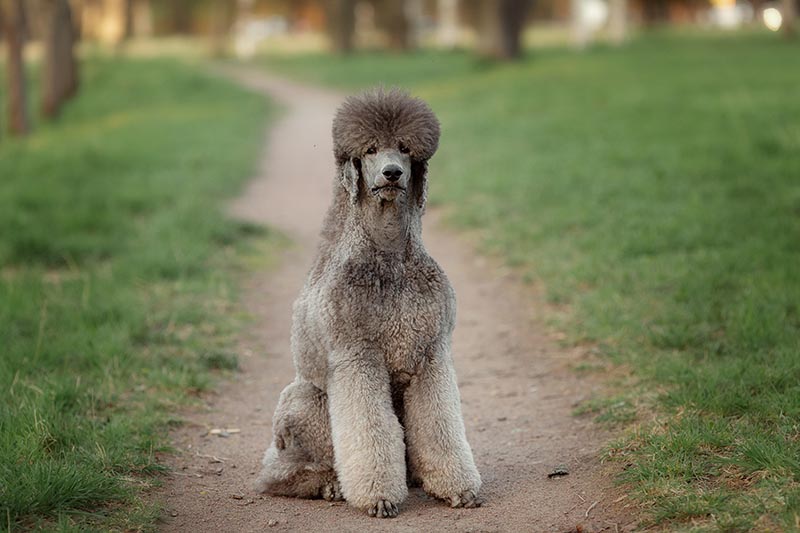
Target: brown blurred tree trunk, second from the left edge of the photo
column 60, row 68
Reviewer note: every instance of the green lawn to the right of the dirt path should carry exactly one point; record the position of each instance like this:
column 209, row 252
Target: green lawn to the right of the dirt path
column 654, row 191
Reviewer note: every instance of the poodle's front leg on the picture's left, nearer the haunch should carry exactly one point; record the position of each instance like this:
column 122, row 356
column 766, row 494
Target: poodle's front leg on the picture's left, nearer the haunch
column 367, row 437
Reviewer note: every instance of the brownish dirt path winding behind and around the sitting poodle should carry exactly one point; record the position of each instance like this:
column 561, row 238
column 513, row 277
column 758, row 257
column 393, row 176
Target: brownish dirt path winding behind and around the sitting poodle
column 516, row 391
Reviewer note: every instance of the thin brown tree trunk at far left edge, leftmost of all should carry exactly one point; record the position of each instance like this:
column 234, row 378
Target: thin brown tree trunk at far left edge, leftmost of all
column 13, row 23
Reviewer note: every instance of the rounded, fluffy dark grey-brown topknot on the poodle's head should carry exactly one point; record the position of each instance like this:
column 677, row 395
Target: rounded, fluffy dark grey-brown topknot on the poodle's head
column 383, row 117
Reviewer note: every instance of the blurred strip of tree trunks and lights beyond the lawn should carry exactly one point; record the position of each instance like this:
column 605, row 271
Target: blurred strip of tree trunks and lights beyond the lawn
column 496, row 30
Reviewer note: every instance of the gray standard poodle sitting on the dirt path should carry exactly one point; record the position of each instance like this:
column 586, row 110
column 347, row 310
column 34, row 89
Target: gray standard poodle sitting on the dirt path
column 371, row 332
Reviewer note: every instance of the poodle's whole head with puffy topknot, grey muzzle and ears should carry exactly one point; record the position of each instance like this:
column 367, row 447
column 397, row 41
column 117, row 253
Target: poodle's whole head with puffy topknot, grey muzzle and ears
column 382, row 140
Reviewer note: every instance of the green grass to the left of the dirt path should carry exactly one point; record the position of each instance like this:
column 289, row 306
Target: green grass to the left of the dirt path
column 117, row 285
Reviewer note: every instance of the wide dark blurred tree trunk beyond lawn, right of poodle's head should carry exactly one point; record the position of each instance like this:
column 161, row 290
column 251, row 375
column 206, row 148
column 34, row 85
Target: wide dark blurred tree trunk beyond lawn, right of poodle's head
column 500, row 26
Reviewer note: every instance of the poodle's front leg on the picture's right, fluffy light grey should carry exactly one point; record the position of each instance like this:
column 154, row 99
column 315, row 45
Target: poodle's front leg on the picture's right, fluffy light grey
column 438, row 451
